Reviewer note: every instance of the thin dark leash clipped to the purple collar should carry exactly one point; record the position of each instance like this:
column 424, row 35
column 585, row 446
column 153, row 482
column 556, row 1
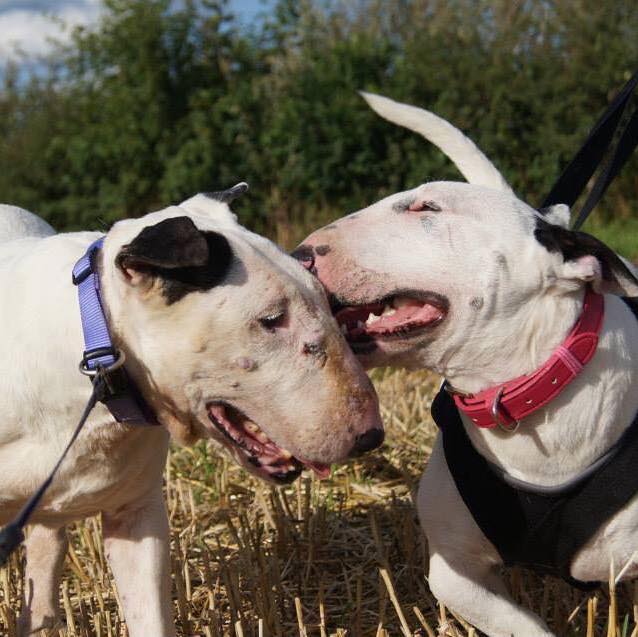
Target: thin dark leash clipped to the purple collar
column 12, row 534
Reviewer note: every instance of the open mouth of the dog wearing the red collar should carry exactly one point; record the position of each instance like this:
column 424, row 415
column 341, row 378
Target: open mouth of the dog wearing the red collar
column 397, row 316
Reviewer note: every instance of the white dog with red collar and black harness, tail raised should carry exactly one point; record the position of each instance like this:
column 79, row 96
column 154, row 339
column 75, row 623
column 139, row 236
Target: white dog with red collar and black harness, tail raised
column 469, row 281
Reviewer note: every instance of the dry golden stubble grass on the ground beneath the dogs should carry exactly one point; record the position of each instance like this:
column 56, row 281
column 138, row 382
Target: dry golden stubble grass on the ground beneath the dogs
column 340, row 557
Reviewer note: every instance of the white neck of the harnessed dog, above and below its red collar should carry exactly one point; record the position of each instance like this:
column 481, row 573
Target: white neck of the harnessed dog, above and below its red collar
column 560, row 440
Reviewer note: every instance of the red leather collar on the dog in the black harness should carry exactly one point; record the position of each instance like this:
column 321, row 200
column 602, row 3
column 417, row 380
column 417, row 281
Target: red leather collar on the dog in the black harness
column 507, row 404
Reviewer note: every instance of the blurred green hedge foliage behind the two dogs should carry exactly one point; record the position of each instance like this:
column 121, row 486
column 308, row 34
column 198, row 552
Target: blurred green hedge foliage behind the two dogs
column 155, row 103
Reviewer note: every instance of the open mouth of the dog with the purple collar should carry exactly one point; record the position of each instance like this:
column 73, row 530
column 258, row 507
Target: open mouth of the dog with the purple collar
column 269, row 459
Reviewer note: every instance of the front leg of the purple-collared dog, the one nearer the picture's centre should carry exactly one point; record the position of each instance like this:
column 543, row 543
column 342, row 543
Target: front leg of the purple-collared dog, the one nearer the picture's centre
column 136, row 539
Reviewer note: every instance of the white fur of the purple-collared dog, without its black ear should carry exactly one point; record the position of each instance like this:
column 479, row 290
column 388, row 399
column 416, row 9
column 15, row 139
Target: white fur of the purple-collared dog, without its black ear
column 181, row 356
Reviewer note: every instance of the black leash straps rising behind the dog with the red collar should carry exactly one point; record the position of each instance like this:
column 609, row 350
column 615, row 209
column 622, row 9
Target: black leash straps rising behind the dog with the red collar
column 619, row 122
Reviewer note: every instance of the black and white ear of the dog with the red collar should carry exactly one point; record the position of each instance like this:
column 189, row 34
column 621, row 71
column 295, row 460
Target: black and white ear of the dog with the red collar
column 587, row 260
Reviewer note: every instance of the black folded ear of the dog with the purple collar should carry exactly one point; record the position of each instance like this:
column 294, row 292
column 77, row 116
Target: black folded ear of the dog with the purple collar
column 185, row 258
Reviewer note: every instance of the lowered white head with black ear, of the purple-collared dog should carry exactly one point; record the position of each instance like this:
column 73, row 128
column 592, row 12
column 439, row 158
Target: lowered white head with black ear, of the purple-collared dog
column 228, row 337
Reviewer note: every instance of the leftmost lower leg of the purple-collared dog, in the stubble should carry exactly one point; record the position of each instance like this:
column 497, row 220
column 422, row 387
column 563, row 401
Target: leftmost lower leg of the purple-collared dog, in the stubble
column 46, row 548
